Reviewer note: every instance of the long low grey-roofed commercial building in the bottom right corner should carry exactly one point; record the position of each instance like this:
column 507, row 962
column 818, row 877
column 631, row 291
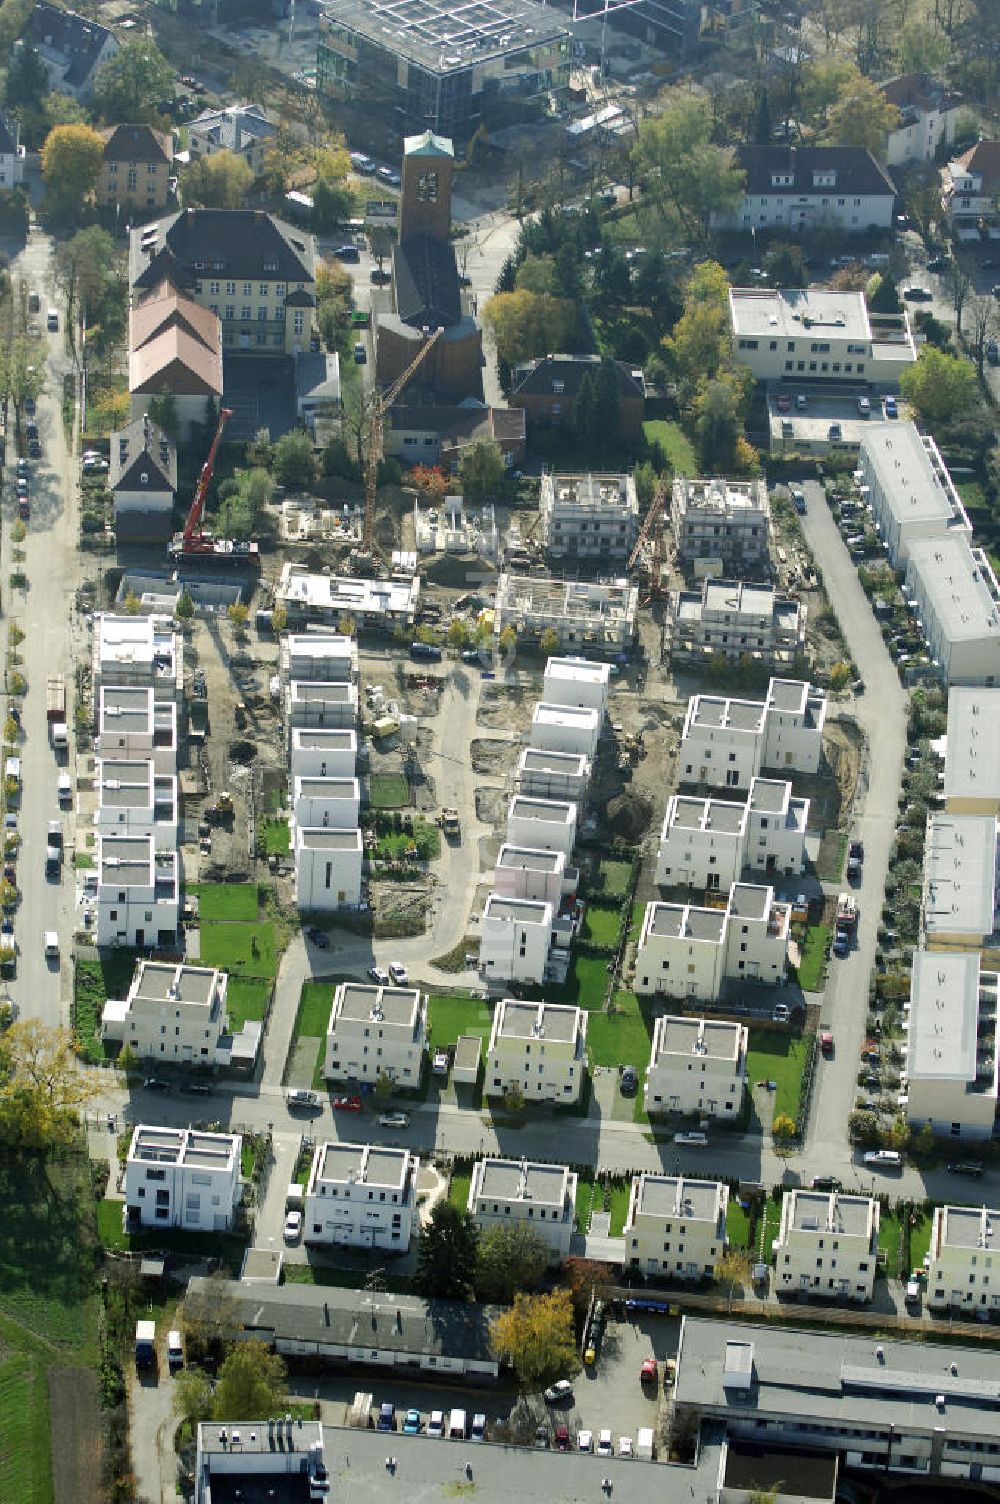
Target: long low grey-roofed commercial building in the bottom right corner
column 917, row 1408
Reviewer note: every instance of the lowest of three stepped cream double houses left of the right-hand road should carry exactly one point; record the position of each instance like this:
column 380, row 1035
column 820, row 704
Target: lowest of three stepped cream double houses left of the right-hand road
column 689, row 951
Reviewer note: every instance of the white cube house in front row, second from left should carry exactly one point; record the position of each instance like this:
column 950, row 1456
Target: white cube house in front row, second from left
column 362, row 1196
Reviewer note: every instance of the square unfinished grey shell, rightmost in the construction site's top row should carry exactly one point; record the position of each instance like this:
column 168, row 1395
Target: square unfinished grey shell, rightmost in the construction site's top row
column 721, row 521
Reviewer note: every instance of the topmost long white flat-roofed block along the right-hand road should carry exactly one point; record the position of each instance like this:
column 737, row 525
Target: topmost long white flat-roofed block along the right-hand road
column 906, row 484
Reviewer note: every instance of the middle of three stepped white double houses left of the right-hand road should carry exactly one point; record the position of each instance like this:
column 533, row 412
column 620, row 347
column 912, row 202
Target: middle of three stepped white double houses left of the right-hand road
column 708, row 843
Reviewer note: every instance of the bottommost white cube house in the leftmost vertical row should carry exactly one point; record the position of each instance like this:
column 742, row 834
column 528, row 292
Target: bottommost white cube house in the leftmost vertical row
column 138, row 894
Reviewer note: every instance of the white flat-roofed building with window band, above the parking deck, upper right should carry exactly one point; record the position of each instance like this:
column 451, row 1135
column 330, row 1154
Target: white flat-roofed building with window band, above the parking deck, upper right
column 813, row 339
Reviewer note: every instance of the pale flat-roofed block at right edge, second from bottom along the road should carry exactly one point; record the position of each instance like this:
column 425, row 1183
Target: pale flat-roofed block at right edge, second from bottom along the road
column 960, row 882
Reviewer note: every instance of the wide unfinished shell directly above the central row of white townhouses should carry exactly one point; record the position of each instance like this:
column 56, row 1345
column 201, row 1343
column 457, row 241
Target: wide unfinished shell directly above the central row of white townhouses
column 583, row 614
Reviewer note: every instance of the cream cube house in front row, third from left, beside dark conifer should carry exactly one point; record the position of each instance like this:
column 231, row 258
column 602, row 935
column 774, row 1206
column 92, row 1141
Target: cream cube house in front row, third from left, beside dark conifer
column 541, row 1196
